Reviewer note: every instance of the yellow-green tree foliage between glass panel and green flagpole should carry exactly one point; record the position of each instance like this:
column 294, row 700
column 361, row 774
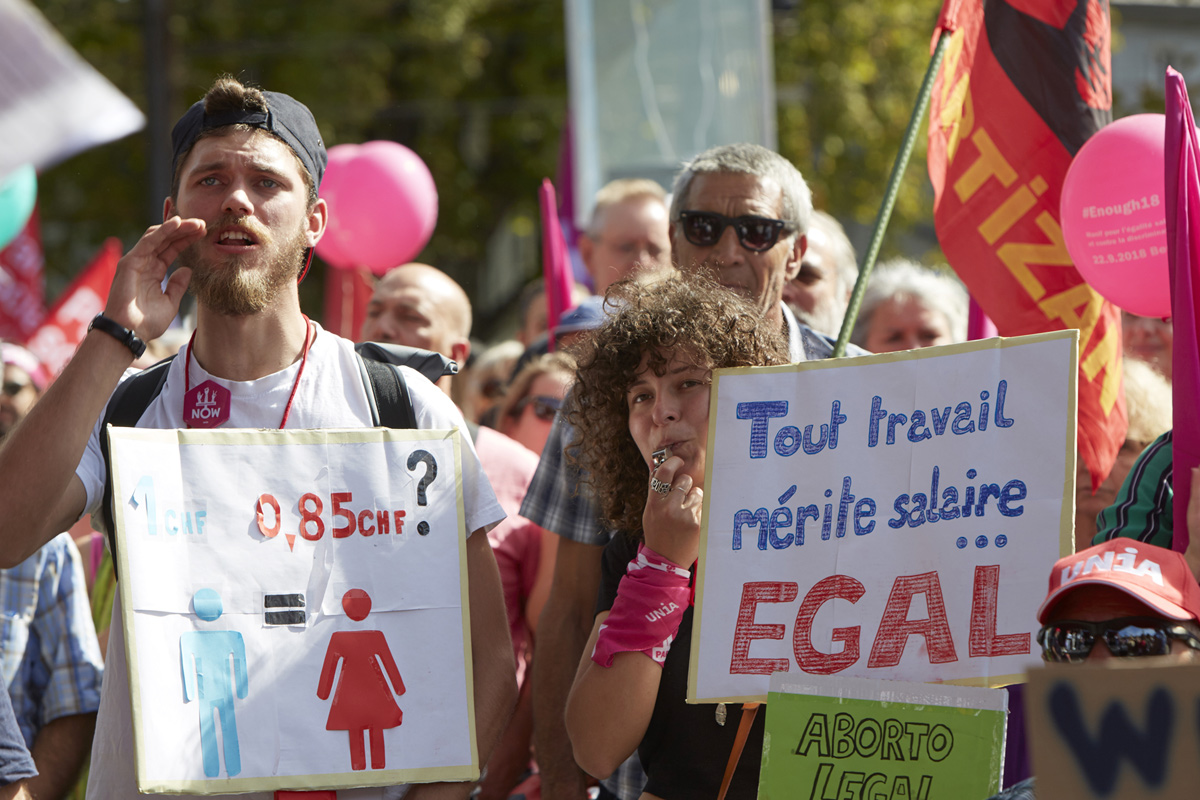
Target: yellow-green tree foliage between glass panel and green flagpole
column 849, row 74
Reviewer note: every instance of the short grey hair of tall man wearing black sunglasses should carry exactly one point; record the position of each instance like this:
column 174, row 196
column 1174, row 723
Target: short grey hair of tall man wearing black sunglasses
column 749, row 160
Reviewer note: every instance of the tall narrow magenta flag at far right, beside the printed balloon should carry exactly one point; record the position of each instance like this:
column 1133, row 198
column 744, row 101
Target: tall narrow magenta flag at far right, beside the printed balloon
column 1184, row 256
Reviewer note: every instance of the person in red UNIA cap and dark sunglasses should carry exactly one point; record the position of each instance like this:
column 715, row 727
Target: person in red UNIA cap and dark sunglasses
column 1119, row 600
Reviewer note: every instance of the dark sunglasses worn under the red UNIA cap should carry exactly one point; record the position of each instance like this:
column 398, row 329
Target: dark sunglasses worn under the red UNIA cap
column 1072, row 641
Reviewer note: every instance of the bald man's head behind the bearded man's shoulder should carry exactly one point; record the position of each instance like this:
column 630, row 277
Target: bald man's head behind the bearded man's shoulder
column 421, row 306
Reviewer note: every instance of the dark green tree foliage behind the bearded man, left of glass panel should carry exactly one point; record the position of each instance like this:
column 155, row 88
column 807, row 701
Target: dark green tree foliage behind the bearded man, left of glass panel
column 477, row 88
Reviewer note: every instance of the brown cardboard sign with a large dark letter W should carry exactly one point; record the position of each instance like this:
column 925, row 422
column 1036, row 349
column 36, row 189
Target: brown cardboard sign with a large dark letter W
column 1123, row 731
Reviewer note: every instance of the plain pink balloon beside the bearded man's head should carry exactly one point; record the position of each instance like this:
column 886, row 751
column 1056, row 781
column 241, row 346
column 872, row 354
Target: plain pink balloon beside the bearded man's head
column 383, row 206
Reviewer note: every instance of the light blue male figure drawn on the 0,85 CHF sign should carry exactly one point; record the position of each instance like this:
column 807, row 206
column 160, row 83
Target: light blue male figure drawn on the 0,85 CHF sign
column 205, row 658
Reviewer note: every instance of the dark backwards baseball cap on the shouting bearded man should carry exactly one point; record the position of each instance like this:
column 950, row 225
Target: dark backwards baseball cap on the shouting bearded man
column 285, row 117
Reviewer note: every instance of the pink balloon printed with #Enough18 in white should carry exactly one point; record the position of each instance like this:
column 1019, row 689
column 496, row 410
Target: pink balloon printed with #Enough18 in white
column 1114, row 215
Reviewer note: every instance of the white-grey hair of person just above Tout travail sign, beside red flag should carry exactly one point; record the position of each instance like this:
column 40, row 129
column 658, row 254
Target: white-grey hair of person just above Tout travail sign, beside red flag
column 908, row 280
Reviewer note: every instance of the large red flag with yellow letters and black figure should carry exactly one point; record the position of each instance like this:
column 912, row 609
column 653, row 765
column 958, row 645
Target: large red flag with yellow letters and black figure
column 1024, row 85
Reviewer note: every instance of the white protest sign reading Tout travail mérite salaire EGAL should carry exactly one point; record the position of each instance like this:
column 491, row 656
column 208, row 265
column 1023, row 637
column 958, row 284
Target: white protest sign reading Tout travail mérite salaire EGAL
column 885, row 516
